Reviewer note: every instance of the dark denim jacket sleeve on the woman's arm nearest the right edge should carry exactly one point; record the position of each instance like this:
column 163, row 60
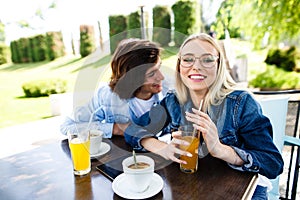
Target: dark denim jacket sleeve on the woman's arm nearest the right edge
column 256, row 146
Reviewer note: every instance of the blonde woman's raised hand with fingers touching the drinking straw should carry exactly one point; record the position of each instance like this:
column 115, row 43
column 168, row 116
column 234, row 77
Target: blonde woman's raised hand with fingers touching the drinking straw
column 202, row 122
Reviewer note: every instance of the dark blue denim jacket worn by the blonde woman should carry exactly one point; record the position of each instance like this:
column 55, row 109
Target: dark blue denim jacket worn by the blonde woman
column 240, row 124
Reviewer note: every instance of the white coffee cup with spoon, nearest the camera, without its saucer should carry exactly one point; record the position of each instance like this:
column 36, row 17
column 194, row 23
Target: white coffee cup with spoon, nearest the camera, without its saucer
column 138, row 179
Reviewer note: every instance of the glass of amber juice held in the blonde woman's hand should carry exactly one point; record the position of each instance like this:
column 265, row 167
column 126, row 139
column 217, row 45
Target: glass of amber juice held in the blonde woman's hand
column 193, row 137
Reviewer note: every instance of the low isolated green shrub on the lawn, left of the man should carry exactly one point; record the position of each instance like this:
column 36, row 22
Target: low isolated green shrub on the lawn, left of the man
column 41, row 88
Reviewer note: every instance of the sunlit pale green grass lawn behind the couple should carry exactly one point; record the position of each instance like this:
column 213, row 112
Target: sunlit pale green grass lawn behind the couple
column 15, row 109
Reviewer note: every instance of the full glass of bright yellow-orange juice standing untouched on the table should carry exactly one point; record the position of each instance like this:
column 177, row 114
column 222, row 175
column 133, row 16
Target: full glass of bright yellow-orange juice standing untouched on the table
column 79, row 143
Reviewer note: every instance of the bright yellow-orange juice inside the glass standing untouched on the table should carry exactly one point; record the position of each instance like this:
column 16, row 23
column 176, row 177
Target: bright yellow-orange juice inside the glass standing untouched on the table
column 80, row 152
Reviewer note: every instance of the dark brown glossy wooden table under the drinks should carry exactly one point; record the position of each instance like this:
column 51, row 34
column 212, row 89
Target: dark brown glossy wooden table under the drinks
column 47, row 173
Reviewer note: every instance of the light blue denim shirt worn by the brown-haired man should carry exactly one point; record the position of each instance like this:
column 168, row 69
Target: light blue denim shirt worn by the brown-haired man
column 105, row 109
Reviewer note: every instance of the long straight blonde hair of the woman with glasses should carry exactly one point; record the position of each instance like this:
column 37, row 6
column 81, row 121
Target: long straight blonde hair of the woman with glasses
column 221, row 87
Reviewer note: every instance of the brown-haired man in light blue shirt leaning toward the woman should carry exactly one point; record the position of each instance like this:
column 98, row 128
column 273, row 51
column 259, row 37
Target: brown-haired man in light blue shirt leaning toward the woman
column 136, row 84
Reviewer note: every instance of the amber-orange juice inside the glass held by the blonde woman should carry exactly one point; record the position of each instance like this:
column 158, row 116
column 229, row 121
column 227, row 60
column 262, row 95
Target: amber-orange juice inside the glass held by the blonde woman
column 192, row 162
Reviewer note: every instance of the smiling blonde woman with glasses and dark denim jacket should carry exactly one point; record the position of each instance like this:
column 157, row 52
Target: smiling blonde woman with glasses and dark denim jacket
column 230, row 121
